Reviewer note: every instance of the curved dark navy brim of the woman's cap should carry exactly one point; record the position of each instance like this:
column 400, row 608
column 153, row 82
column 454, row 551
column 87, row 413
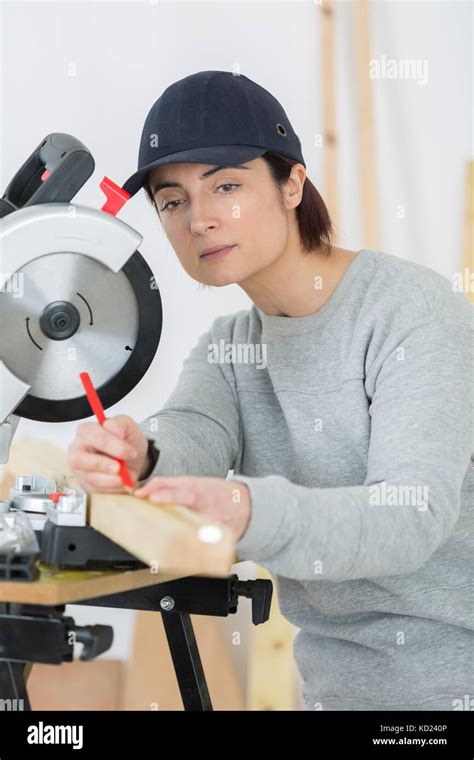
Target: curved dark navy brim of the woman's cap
column 217, row 154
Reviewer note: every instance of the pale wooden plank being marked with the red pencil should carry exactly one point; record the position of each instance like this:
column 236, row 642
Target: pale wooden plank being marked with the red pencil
column 169, row 537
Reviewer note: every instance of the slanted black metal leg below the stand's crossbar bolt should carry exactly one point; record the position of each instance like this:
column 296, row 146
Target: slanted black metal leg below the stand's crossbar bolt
column 187, row 661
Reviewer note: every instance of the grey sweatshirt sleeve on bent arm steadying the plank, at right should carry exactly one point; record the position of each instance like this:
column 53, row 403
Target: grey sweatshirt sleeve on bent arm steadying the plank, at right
column 421, row 436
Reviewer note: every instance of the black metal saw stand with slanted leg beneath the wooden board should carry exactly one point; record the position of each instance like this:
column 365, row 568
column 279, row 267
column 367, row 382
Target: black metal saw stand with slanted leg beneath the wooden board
column 42, row 634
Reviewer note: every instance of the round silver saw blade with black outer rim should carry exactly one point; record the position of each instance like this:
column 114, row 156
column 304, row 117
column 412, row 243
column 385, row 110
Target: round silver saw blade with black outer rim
column 118, row 332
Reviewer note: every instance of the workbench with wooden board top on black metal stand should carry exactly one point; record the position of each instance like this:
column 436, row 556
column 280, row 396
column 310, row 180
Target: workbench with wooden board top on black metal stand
column 35, row 630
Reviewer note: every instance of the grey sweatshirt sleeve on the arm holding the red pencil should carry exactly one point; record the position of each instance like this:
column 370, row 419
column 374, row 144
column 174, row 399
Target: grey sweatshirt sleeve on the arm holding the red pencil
column 197, row 431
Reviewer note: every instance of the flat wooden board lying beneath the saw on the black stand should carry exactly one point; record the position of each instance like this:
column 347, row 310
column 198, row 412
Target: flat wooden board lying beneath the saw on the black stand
column 67, row 586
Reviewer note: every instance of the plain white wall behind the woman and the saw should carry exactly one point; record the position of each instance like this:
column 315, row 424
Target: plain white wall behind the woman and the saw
column 93, row 69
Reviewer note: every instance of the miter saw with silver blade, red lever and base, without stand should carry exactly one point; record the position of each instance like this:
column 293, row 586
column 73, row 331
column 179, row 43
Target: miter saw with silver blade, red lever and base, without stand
column 75, row 294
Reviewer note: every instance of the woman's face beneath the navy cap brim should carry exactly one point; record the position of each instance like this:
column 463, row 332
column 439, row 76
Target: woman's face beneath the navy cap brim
column 232, row 206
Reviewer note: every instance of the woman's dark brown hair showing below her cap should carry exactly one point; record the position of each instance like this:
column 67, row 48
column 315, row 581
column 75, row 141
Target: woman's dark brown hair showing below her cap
column 314, row 222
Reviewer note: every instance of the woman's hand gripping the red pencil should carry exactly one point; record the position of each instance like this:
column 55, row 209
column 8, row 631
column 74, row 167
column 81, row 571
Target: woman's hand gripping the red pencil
column 91, row 453
